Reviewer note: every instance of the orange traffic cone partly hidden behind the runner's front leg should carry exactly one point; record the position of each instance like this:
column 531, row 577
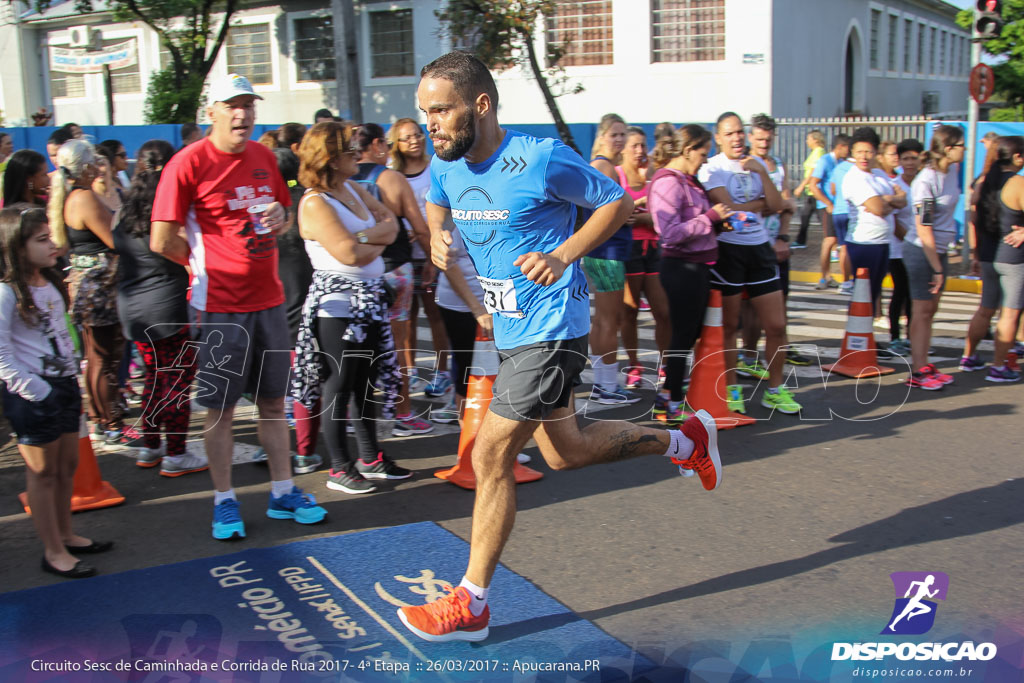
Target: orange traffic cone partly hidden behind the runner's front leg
column 479, row 396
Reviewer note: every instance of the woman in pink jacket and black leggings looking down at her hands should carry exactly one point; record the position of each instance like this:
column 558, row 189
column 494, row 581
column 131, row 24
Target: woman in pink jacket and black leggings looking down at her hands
column 688, row 226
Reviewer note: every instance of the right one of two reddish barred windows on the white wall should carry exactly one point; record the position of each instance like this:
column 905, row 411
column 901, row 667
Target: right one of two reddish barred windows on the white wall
column 688, row 30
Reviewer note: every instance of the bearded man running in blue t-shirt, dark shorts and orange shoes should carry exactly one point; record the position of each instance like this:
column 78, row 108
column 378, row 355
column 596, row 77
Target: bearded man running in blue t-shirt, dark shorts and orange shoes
column 514, row 198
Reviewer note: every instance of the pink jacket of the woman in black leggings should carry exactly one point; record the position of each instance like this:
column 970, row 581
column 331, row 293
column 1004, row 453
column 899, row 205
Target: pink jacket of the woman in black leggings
column 684, row 217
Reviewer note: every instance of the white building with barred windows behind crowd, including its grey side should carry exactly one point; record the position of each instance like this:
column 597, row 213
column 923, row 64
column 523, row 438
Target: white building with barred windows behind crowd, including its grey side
column 647, row 60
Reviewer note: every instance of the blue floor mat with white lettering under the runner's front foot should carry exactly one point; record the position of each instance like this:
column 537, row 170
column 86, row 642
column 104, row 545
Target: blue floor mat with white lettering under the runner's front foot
column 321, row 610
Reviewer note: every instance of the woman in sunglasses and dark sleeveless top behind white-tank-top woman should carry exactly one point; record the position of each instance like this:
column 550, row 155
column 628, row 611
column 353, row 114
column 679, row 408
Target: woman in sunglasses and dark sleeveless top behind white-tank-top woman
column 395, row 192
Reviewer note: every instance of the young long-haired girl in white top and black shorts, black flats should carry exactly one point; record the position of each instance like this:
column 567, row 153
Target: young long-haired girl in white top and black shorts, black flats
column 41, row 398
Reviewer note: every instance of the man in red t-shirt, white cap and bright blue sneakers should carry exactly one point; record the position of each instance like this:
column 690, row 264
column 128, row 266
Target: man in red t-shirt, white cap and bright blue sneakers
column 227, row 196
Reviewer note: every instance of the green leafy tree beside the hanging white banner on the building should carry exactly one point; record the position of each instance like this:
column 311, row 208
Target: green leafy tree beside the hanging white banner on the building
column 187, row 30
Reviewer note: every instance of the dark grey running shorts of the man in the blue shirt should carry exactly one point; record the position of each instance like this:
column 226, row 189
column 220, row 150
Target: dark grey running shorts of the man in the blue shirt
column 537, row 379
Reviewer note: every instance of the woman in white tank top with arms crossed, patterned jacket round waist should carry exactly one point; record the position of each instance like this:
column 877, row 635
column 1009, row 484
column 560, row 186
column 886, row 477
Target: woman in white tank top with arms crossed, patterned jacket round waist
column 347, row 314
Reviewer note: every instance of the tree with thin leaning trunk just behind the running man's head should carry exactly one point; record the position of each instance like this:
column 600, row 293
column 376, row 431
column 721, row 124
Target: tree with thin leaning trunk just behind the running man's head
column 501, row 34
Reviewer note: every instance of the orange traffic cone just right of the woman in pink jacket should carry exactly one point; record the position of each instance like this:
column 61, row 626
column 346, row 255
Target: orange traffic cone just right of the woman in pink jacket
column 708, row 390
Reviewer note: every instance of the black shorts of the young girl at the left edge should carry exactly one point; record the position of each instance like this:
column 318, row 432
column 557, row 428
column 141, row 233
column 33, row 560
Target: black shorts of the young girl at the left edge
column 41, row 422
